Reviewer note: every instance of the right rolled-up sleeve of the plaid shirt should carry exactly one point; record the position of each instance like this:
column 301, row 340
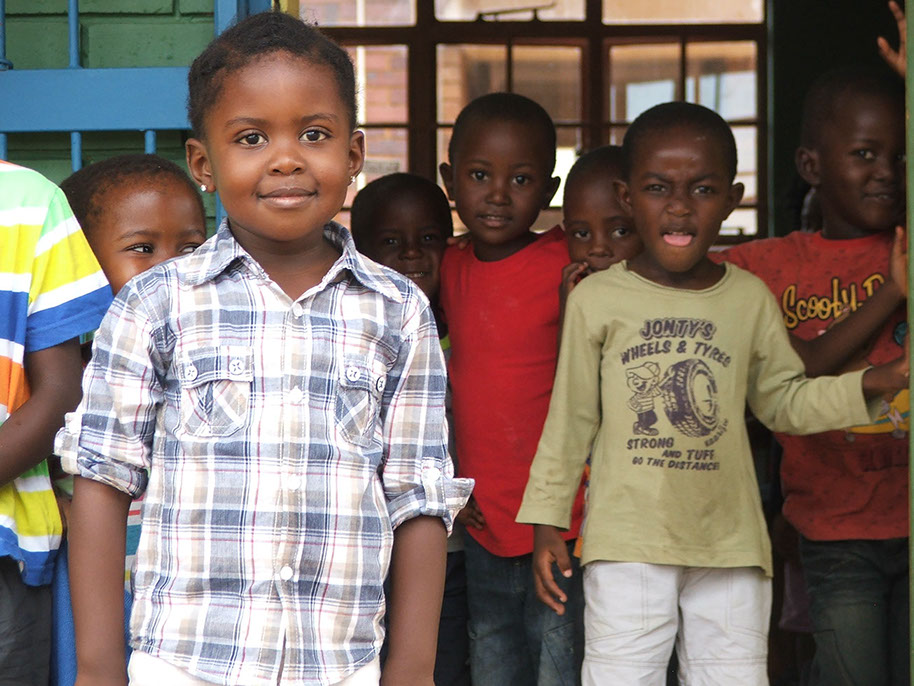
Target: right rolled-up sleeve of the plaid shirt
column 418, row 474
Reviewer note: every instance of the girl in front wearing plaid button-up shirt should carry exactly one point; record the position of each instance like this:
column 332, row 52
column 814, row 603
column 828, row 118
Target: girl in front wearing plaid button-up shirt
column 287, row 399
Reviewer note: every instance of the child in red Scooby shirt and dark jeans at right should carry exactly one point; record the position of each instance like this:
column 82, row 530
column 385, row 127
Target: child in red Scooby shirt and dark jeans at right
column 846, row 492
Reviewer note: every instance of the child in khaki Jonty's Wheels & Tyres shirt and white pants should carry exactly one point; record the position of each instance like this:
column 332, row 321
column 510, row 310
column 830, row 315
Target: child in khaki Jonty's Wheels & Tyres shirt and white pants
column 675, row 527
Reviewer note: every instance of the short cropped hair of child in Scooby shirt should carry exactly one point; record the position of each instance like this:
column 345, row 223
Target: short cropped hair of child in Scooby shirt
column 822, row 99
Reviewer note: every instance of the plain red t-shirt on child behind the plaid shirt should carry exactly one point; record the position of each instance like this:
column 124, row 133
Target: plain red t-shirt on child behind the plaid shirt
column 503, row 324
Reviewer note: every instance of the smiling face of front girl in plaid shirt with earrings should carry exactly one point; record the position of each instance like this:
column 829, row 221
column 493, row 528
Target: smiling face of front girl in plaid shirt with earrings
column 279, row 150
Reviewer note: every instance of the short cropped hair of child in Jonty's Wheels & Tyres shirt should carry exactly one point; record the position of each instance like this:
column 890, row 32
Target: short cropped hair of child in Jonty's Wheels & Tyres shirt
column 675, row 115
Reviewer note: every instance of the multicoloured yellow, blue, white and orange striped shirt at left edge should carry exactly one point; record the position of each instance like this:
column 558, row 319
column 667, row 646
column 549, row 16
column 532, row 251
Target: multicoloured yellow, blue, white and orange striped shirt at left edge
column 51, row 290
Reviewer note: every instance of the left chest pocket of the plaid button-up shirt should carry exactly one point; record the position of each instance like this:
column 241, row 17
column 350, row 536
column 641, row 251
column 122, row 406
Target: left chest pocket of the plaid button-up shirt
column 215, row 390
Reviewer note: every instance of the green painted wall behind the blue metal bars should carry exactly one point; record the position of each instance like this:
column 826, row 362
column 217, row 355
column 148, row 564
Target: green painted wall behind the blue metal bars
column 113, row 33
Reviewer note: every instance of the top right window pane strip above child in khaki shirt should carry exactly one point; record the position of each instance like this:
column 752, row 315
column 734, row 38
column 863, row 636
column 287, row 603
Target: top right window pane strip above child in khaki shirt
column 682, row 11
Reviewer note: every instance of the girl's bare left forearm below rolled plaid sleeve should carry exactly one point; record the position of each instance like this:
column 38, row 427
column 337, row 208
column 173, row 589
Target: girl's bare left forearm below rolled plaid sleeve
column 98, row 523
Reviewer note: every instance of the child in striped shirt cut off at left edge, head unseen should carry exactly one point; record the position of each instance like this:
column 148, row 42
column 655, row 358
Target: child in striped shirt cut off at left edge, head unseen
column 53, row 292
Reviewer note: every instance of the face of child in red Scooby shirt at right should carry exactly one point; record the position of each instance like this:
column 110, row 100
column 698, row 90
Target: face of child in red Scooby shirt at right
column 858, row 167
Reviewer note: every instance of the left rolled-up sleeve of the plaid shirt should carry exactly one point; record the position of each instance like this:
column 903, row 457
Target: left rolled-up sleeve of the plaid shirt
column 108, row 438
